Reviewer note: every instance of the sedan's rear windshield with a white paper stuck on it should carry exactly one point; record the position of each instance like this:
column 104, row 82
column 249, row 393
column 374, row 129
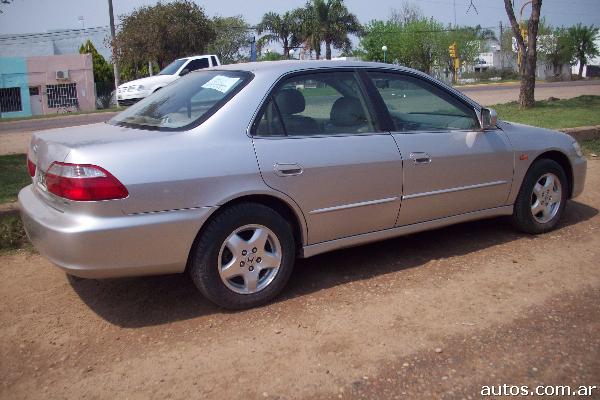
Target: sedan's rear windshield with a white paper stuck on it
column 184, row 103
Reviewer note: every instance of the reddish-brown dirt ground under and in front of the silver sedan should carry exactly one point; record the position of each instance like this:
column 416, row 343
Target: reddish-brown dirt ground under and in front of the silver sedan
column 428, row 316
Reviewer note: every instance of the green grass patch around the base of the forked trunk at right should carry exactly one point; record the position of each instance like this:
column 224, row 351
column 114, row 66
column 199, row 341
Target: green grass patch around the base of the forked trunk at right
column 569, row 113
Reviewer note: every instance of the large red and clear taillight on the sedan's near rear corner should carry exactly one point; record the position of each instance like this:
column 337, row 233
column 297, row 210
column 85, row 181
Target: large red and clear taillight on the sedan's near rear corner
column 83, row 182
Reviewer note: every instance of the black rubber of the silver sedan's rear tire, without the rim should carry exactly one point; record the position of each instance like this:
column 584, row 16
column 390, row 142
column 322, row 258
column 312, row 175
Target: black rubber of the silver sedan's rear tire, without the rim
column 204, row 267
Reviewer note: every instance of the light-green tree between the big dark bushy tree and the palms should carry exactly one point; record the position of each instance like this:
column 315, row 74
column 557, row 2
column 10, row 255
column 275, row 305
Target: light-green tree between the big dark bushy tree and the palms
column 233, row 38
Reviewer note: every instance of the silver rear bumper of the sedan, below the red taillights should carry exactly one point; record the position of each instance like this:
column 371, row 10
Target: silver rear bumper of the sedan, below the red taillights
column 109, row 247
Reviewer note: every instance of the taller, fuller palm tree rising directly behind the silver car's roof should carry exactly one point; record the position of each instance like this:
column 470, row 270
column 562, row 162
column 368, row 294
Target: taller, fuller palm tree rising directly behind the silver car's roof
column 331, row 23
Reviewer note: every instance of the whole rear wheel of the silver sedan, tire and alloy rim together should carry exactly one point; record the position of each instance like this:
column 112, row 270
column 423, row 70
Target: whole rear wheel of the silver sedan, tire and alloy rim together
column 234, row 239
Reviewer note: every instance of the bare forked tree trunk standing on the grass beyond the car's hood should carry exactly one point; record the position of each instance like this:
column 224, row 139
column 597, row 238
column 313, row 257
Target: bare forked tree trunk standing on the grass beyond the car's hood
column 527, row 50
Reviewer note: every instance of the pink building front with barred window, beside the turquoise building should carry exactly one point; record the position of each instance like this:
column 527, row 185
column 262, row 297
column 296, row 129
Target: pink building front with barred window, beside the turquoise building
column 58, row 82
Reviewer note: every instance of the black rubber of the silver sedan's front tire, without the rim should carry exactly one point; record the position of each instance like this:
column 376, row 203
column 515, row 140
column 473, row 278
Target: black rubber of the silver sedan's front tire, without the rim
column 523, row 218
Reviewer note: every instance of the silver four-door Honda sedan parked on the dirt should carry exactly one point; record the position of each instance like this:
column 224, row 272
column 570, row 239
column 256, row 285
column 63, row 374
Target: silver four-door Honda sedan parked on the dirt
column 230, row 173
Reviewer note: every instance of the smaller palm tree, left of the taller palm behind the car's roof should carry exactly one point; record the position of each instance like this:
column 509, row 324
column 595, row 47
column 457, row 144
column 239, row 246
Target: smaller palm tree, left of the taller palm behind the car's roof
column 280, row 28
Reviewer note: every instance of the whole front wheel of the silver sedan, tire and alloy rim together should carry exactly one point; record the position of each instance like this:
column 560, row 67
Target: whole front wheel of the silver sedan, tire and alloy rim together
column 536, row 211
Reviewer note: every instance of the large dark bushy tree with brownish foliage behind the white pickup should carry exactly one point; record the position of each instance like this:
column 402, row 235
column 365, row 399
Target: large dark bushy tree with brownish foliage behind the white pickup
column 162, row 33
